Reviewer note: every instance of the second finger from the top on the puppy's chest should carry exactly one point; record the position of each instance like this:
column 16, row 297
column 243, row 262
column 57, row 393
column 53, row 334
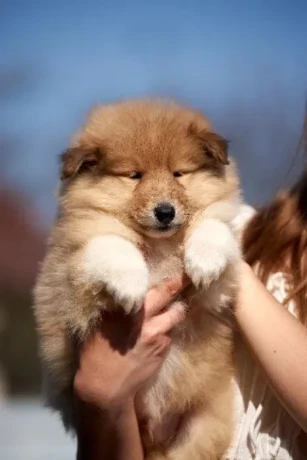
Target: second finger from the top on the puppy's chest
column 166, row 321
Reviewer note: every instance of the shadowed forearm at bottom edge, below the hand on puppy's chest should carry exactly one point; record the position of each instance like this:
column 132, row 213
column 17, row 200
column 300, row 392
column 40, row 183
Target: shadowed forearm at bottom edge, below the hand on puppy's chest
column 111, row 435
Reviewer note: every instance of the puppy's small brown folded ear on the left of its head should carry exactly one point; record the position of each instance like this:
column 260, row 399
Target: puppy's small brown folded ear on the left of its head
column 77, row 160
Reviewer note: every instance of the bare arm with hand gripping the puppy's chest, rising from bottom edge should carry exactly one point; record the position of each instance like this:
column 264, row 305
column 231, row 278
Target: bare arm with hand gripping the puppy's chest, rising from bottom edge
column 108, row 379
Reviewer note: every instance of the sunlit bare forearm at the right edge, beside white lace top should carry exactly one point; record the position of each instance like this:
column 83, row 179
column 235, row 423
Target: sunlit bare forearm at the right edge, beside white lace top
column 278, row 341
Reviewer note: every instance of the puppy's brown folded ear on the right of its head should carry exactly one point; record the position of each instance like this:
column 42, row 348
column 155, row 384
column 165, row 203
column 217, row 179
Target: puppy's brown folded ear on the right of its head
column 215, row 146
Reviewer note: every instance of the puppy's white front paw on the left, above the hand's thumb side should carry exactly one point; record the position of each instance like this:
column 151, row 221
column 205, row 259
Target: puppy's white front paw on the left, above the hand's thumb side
column 120, row 268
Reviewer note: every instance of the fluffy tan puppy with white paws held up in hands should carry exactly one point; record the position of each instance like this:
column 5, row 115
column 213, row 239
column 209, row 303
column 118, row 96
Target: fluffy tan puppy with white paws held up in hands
column 147, row 192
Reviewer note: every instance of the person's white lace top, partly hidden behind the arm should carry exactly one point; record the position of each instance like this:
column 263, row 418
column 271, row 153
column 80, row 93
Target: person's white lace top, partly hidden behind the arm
column 263, row 428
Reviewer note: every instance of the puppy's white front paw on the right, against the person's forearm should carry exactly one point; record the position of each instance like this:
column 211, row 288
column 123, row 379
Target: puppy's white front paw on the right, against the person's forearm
column 209, row 250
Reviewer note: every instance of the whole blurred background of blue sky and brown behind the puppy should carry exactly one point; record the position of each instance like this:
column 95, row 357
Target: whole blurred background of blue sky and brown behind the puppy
column 243, row 62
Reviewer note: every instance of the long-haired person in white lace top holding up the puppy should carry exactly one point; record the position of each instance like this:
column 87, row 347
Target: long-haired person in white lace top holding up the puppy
column 271, row 374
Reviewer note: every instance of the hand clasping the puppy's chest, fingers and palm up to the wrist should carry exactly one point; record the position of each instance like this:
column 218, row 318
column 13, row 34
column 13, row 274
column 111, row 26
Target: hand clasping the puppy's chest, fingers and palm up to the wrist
column 107, row 376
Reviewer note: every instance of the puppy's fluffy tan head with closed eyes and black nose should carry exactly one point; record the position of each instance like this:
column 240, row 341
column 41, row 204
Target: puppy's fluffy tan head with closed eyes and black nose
column 149, row 163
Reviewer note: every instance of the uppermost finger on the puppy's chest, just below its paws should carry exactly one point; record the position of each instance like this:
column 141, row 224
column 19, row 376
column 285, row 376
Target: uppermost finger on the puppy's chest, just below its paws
column 162, row 295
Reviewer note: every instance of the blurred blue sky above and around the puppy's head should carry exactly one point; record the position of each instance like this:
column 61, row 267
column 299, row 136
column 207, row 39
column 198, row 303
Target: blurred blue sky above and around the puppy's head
column 228, row 57
